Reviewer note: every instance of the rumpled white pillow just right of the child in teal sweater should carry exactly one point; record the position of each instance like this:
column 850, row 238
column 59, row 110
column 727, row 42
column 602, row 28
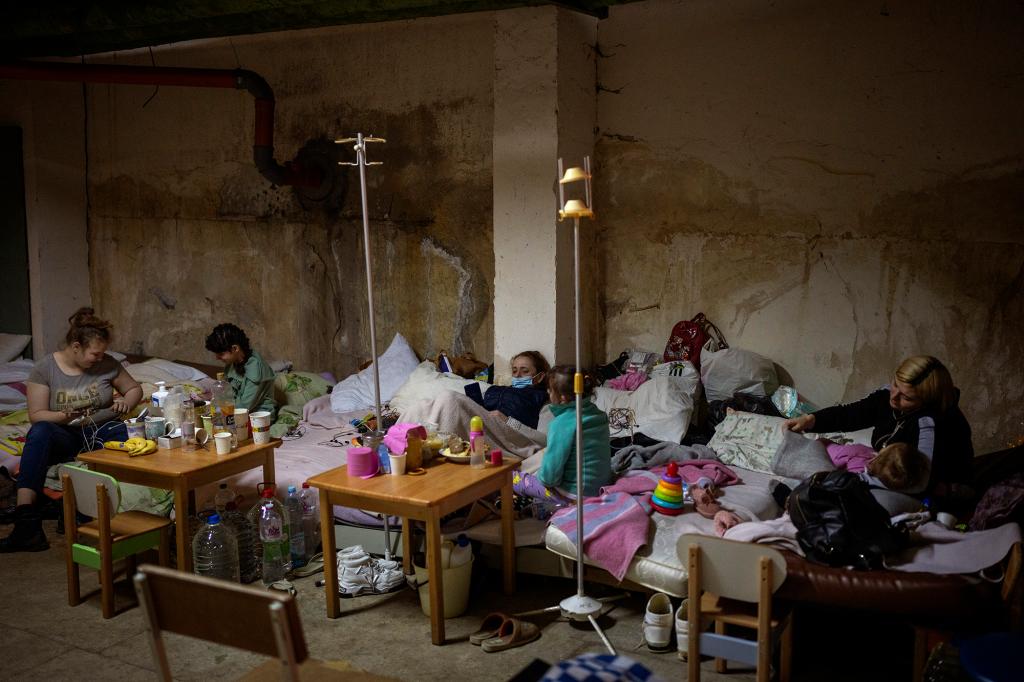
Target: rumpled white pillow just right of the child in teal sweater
column 662, row 406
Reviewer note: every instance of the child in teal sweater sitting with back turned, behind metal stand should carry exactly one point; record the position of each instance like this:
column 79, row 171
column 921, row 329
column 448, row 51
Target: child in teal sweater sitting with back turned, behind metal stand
column 558, row 474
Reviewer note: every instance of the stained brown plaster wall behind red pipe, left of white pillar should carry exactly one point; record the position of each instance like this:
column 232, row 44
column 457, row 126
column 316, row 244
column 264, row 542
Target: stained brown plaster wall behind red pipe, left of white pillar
column 186, row 234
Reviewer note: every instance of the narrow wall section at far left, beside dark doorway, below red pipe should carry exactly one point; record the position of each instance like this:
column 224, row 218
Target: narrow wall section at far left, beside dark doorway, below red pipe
column 51, row 116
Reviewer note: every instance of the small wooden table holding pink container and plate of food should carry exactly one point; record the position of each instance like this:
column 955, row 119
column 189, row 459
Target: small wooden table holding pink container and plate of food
column 444, row 489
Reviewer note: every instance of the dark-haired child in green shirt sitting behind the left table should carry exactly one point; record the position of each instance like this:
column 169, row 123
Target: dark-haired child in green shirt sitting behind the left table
column 251, row 378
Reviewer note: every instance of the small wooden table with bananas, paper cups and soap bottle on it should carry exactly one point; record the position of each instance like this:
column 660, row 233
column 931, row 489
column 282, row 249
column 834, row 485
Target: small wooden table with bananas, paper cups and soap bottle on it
column 183, row 473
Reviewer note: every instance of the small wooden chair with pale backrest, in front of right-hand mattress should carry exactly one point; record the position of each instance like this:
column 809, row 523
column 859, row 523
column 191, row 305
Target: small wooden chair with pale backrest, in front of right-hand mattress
column 737, row 581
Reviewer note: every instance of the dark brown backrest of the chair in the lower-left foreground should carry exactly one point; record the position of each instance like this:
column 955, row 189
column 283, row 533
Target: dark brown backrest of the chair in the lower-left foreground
column 224, row 613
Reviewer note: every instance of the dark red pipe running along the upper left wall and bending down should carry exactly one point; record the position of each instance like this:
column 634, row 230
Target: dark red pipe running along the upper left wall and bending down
column 239, row 79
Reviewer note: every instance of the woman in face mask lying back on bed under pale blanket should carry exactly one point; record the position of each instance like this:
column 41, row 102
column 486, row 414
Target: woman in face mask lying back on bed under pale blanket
column 511, row 414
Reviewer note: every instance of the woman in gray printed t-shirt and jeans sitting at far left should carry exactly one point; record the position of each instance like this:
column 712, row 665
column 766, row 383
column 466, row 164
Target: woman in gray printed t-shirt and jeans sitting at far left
column 74, row 385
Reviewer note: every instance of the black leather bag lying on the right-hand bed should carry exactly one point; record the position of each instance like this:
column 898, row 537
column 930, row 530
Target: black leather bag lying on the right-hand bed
column 840, row 524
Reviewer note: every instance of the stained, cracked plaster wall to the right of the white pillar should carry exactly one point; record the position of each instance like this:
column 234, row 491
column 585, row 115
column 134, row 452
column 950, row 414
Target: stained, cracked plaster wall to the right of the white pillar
column 837, row 186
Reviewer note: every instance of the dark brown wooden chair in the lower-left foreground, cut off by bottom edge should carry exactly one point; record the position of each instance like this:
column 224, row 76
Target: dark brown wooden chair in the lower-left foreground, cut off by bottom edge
column 246, row 618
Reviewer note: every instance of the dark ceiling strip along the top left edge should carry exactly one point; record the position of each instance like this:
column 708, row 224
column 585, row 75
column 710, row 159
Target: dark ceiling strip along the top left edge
column 71, row 28
